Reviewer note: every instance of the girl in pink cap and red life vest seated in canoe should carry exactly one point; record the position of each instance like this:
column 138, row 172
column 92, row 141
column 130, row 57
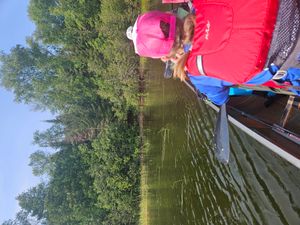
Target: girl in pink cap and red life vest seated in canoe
column 222, row 45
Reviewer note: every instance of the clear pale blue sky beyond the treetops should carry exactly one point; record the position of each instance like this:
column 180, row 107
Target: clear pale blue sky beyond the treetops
column 17, row 121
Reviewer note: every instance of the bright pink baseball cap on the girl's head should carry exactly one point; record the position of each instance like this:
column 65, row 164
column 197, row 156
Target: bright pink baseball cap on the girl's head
column 148, row 37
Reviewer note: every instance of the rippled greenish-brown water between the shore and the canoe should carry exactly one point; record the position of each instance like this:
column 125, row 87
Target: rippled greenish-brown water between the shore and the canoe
column 187, row 184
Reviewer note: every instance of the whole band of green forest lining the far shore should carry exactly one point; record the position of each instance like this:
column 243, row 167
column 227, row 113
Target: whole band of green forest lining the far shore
column 79, row 65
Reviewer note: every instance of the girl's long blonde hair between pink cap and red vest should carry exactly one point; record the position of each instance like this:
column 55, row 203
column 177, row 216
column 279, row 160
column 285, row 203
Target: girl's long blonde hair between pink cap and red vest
column 184, row 35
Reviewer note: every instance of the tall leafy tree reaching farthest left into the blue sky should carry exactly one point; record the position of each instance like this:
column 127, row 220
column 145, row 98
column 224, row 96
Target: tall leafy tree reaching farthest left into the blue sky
column 39, row 76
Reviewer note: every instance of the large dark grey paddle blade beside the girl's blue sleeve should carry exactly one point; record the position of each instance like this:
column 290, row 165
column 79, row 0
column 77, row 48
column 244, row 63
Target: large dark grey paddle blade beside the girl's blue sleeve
column 222, row 148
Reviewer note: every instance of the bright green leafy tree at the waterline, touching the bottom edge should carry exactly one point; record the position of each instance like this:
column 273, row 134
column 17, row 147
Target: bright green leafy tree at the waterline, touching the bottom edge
column 114, row 167
